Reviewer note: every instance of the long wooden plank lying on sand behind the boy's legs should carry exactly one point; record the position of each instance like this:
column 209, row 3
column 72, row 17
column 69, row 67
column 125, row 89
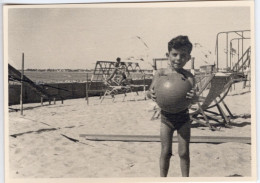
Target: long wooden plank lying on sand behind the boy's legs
column 156, row 138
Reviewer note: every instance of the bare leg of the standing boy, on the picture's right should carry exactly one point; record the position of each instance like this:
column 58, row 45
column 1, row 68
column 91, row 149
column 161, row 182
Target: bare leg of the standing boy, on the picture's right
column 183, row 148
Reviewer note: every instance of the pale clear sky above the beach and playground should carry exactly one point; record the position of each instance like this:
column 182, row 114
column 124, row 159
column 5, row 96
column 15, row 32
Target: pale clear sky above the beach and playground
column 75, row 38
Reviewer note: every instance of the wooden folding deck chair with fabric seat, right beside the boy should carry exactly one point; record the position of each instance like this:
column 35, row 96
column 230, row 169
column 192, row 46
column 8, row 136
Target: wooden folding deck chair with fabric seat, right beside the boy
column 218, row 87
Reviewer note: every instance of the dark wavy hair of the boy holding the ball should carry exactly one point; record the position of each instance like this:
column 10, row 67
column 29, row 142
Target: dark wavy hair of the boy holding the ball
column 180, row 42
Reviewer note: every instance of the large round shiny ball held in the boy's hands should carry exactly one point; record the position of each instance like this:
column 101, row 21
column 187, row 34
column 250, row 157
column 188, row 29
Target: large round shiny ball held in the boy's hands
column 171, row 91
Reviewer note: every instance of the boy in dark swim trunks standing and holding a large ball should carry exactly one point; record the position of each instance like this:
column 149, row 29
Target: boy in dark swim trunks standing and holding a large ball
column 178, row 55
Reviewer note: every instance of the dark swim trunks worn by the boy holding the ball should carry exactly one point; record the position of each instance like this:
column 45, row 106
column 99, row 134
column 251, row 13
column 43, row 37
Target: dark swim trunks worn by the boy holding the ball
column 175, row 121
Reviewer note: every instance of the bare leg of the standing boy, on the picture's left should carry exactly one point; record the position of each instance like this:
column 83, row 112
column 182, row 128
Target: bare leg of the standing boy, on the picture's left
column 166, row 134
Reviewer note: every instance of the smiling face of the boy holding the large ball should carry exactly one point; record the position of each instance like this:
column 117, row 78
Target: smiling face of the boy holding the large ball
column 178, row 58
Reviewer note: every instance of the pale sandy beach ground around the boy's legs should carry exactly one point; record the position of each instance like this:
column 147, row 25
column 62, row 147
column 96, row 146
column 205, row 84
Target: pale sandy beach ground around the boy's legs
column 45, row 141
